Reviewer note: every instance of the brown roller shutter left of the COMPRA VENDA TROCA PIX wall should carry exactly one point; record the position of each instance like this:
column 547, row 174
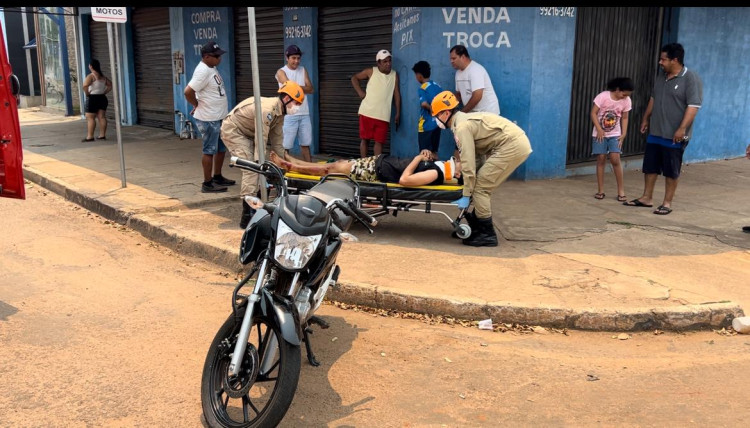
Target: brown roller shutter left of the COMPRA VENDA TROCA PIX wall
column 153, row 65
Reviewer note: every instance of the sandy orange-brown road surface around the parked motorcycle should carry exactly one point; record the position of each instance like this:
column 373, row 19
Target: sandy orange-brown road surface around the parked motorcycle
column 100, row 327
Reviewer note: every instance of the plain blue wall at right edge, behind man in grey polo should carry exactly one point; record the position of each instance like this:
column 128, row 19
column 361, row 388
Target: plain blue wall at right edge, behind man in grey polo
column 717, row 47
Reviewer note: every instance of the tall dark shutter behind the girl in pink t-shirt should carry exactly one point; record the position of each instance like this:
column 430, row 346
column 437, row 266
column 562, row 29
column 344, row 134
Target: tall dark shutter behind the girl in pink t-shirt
column 612, row 42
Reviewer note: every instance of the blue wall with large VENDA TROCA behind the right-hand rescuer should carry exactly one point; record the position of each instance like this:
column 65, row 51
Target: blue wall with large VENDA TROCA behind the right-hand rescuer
column 529, row 59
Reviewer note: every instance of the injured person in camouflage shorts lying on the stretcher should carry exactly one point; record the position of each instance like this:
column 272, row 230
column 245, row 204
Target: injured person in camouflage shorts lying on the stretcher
column 419, row 171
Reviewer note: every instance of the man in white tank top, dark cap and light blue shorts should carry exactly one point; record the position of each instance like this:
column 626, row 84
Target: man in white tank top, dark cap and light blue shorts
column 298, row 125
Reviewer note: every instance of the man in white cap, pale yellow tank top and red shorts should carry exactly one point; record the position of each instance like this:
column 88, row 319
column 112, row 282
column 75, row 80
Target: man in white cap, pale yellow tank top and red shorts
column 375, row 109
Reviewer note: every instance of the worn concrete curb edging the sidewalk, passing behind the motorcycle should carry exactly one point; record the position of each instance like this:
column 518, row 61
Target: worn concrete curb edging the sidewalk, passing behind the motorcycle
column 672, row 318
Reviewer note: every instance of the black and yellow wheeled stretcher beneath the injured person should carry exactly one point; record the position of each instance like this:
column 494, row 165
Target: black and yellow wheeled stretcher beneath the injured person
column 378, row 198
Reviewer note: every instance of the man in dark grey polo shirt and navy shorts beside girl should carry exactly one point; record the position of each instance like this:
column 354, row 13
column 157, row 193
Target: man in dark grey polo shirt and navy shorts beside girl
column 675, row 100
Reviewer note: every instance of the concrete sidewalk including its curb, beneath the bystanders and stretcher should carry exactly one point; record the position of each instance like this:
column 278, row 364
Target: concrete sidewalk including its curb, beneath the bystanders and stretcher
column 565, row 259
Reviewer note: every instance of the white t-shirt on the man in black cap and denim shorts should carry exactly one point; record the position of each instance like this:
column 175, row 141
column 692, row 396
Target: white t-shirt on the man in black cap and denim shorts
column 209, row 90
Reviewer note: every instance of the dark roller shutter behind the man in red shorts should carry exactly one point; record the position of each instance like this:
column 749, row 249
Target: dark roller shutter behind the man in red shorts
column 348, row 39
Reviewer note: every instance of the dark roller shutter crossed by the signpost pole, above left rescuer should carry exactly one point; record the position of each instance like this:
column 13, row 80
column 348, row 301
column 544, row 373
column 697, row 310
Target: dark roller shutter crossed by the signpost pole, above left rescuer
column 269, row 33
